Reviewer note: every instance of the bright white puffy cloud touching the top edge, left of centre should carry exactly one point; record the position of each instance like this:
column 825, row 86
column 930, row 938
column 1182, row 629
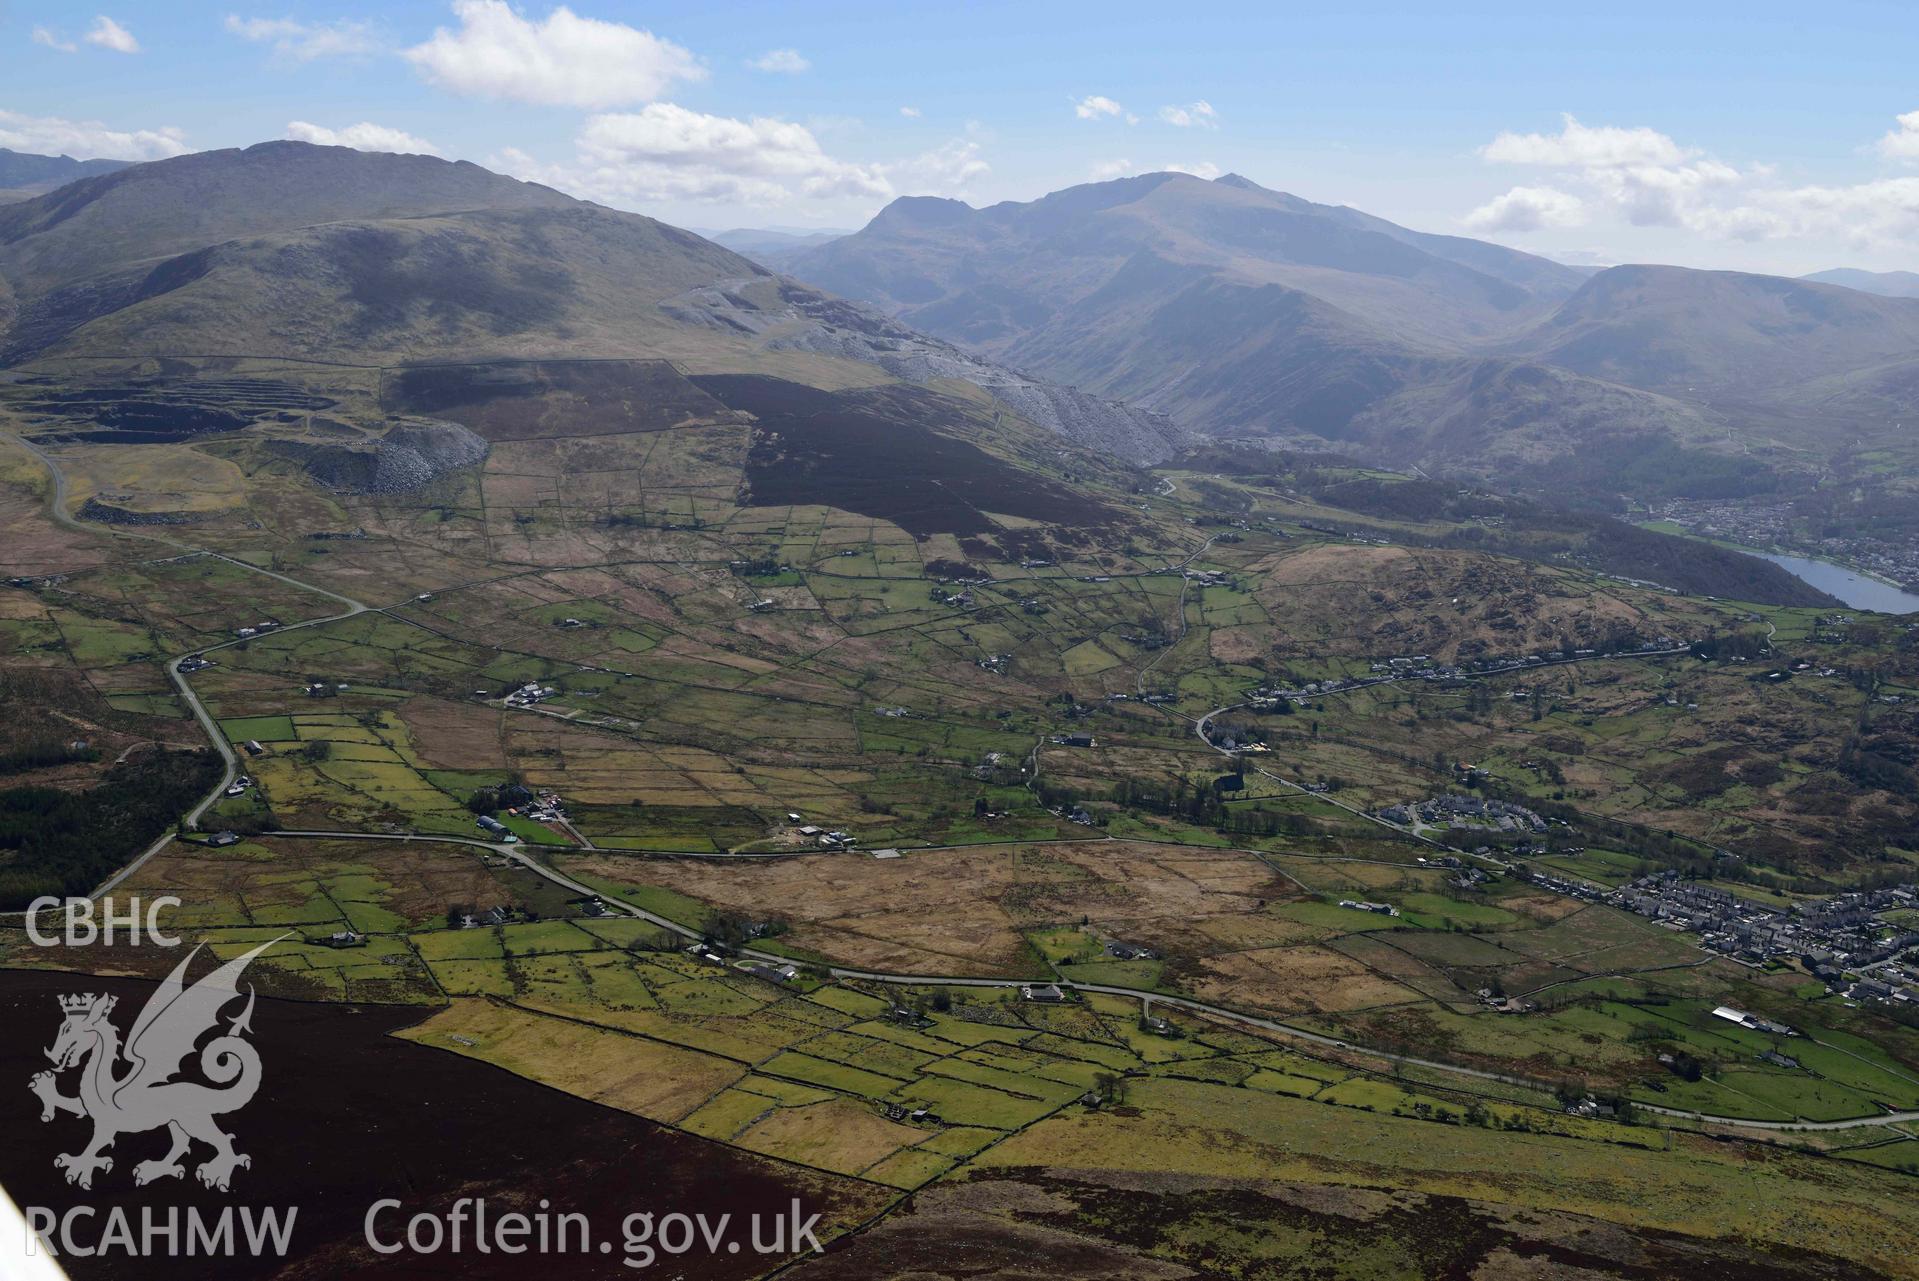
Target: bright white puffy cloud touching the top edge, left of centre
column 563, row 60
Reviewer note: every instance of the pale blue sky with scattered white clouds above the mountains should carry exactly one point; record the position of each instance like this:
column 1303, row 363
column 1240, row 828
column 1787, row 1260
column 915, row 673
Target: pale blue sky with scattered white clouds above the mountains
column 1753, row 137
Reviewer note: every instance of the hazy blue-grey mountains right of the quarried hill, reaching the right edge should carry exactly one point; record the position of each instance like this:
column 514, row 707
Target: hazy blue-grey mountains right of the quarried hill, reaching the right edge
column 1252, row 314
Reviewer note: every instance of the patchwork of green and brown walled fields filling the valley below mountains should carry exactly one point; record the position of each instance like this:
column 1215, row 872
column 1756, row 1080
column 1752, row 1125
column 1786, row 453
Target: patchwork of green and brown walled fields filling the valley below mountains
column 1008, row 895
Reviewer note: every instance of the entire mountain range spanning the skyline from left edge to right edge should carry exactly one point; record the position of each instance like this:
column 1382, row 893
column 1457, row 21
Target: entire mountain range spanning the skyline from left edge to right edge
column 1137, row 315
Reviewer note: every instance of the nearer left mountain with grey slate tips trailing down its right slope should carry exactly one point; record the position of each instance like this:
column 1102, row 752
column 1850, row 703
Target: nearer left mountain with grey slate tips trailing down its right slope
column 331, row 254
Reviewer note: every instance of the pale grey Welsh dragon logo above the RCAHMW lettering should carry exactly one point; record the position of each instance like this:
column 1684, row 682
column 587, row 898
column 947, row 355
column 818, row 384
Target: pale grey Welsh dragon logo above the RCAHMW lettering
column 131, row 1088
